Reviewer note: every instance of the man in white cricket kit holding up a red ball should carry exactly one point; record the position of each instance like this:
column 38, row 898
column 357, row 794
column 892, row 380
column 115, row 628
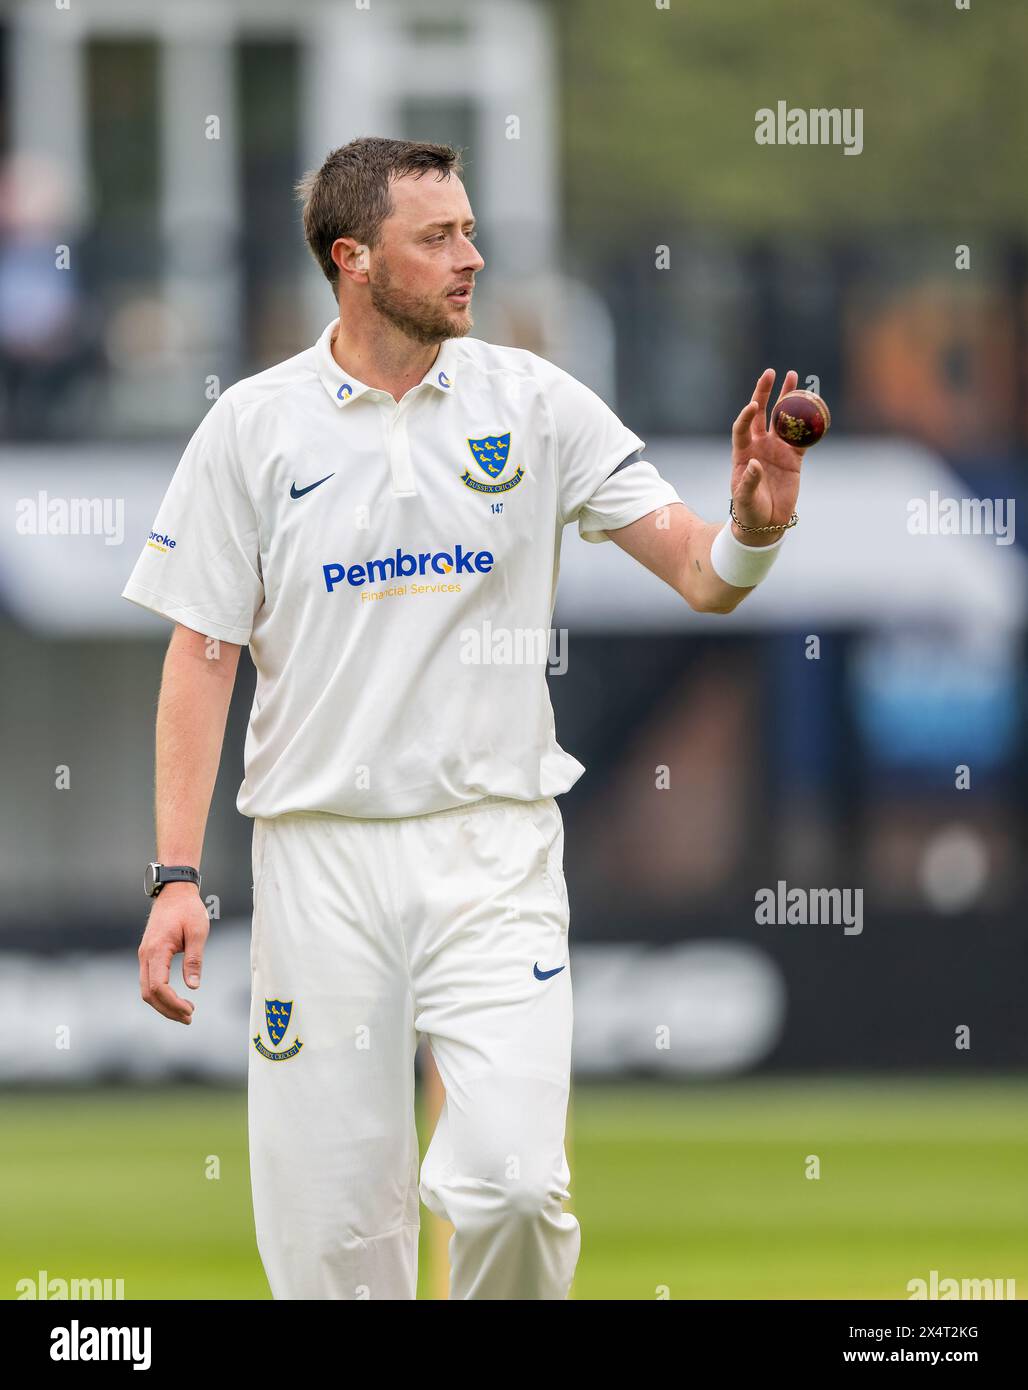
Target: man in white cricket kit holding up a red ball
column 358, row 515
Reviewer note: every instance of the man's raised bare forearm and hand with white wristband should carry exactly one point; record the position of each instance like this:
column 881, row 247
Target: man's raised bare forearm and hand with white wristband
column 711, row 565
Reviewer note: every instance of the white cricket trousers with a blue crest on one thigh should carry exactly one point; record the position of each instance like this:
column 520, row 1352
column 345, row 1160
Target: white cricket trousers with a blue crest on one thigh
column 366, row 936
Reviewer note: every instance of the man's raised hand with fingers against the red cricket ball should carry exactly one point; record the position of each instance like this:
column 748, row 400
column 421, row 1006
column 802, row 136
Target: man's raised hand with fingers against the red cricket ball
column 766, row 471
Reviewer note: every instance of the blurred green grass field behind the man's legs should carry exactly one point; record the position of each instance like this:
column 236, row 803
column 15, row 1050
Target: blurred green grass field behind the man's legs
column 699, row 1189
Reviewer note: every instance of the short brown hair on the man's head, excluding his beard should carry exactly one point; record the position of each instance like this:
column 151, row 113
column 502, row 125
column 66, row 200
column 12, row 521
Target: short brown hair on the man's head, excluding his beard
column 349, row 195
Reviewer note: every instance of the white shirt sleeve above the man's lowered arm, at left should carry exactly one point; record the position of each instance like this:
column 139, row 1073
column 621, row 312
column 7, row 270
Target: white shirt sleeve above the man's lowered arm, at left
column 201, row 564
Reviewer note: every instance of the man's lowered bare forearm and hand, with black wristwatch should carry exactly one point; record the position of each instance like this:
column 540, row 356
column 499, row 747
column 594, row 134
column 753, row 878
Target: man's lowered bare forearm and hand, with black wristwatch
column 192, row 710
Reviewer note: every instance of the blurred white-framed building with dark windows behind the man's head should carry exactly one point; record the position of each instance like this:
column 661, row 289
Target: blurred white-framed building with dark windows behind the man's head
column 176, row 134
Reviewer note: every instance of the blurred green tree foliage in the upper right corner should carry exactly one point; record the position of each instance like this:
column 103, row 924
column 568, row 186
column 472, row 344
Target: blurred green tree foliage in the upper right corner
column 659, row 116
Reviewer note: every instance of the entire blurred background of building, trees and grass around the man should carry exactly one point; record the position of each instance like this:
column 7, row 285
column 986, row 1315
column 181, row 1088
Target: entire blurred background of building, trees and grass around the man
column 856, row 725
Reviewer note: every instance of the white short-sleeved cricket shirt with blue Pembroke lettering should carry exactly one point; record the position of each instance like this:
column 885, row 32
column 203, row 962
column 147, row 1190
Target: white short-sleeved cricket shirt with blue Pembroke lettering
column 394, row 571
